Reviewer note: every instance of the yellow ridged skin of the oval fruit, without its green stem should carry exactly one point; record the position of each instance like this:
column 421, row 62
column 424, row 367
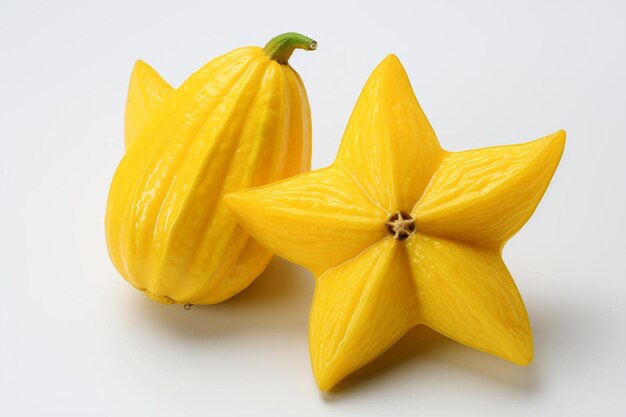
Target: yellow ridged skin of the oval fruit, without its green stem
column 242, row 120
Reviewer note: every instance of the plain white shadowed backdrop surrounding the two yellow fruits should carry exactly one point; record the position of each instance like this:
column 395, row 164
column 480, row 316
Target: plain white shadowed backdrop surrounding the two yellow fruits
column 76, row 339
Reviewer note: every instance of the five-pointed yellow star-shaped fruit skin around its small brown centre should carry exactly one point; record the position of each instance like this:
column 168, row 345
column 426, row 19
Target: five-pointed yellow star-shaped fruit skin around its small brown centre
column 449, row 275
